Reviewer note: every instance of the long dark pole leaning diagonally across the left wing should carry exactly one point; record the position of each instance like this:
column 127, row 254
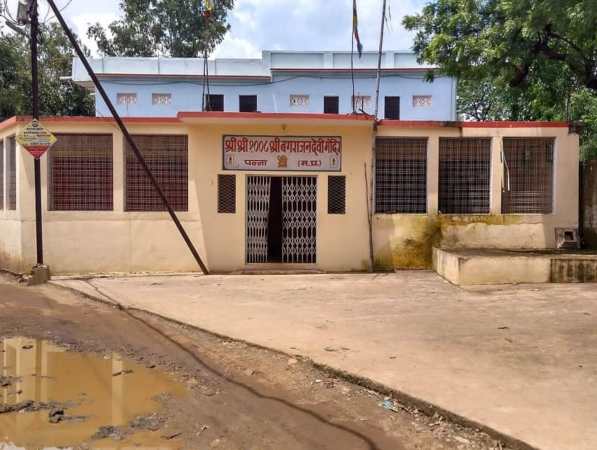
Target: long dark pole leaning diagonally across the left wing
column 127, row 136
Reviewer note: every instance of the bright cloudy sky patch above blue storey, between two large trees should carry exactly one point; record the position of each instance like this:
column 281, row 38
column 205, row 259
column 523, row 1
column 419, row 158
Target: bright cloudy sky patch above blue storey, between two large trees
column 316, row 24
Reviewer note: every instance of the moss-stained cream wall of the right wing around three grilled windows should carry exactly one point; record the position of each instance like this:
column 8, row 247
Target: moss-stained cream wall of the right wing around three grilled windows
column 405, row 240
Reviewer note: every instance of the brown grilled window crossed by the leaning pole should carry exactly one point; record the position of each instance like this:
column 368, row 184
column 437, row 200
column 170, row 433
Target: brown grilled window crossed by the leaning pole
column 167, row 157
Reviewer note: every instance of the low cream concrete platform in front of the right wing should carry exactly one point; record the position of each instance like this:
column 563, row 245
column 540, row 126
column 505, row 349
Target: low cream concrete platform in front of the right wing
column 488, row 266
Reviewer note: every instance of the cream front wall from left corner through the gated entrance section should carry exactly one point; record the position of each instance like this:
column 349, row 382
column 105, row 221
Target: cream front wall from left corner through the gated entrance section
column 119, row 241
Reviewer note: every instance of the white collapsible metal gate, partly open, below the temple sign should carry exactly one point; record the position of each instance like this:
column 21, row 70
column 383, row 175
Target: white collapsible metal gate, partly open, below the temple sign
column 299, row 219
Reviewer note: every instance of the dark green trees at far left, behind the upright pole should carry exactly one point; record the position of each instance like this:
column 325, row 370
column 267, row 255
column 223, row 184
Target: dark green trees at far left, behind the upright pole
column 57, row 97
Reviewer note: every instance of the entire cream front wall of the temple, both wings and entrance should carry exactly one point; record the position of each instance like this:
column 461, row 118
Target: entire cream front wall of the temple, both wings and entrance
column 118, row 241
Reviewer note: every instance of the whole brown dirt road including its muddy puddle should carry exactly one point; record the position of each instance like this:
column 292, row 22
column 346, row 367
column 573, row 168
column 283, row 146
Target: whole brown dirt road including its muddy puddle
column 212, row 392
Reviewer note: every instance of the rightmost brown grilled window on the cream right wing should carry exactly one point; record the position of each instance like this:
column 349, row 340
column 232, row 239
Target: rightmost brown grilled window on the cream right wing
column 528, row 176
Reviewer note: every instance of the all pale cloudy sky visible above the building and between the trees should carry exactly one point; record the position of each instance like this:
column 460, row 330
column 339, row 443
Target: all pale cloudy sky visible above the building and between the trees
column 277, row 24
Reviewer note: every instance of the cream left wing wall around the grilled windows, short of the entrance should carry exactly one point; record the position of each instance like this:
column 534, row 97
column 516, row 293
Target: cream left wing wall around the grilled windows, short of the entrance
column 108, row 241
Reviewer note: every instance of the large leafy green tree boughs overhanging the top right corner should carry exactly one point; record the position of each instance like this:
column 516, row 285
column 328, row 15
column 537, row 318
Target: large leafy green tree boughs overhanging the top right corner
column 508, row 39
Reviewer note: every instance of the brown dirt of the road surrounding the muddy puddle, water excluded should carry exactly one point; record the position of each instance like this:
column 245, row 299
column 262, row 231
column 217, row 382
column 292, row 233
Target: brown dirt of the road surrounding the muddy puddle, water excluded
column 235, row 396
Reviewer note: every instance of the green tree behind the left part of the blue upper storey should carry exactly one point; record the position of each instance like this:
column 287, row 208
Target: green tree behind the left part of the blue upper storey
column 163, row 28
